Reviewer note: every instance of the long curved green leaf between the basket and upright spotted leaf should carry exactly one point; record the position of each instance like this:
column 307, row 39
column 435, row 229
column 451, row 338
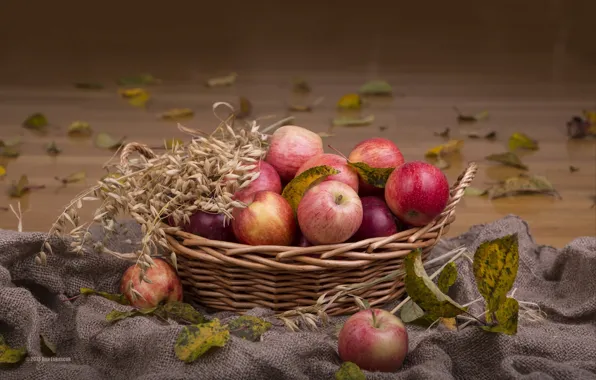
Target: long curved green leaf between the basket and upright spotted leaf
column 425, row 293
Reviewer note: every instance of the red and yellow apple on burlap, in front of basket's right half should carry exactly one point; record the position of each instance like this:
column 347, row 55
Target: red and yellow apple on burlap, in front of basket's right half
column 375, row 340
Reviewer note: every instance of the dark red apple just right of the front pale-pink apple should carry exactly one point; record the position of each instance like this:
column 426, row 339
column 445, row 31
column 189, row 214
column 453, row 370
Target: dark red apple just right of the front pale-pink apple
column 377, row 220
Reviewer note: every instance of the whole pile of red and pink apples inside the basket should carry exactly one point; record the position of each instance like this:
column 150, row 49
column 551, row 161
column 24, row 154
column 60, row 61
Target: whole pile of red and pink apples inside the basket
column 342, row 207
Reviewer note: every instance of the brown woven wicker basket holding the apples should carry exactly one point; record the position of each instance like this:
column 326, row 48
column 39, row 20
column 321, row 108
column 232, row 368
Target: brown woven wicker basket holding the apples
column 237, row 277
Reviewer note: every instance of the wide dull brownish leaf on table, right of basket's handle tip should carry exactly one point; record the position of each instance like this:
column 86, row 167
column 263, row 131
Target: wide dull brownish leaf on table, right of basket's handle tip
column 523, row 184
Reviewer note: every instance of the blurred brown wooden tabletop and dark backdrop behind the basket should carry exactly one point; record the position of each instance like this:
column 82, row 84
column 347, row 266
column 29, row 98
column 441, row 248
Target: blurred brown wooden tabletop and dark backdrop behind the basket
column 530, row 66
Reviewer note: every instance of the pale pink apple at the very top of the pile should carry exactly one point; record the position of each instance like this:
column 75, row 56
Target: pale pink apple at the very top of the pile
column 291, row 146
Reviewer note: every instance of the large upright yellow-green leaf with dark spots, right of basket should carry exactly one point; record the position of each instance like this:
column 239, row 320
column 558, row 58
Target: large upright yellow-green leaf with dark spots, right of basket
column 495, row 268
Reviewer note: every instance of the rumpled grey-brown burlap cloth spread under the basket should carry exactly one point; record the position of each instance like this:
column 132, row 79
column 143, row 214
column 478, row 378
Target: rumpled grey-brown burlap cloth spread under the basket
column 33, row 302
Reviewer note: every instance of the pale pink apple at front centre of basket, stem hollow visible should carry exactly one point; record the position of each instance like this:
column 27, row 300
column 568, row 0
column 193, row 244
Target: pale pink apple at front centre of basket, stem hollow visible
column 329, row 213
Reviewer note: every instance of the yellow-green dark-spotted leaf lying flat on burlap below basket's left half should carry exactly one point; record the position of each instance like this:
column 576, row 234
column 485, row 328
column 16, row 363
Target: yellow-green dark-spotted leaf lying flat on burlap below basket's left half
column 195, row 340
